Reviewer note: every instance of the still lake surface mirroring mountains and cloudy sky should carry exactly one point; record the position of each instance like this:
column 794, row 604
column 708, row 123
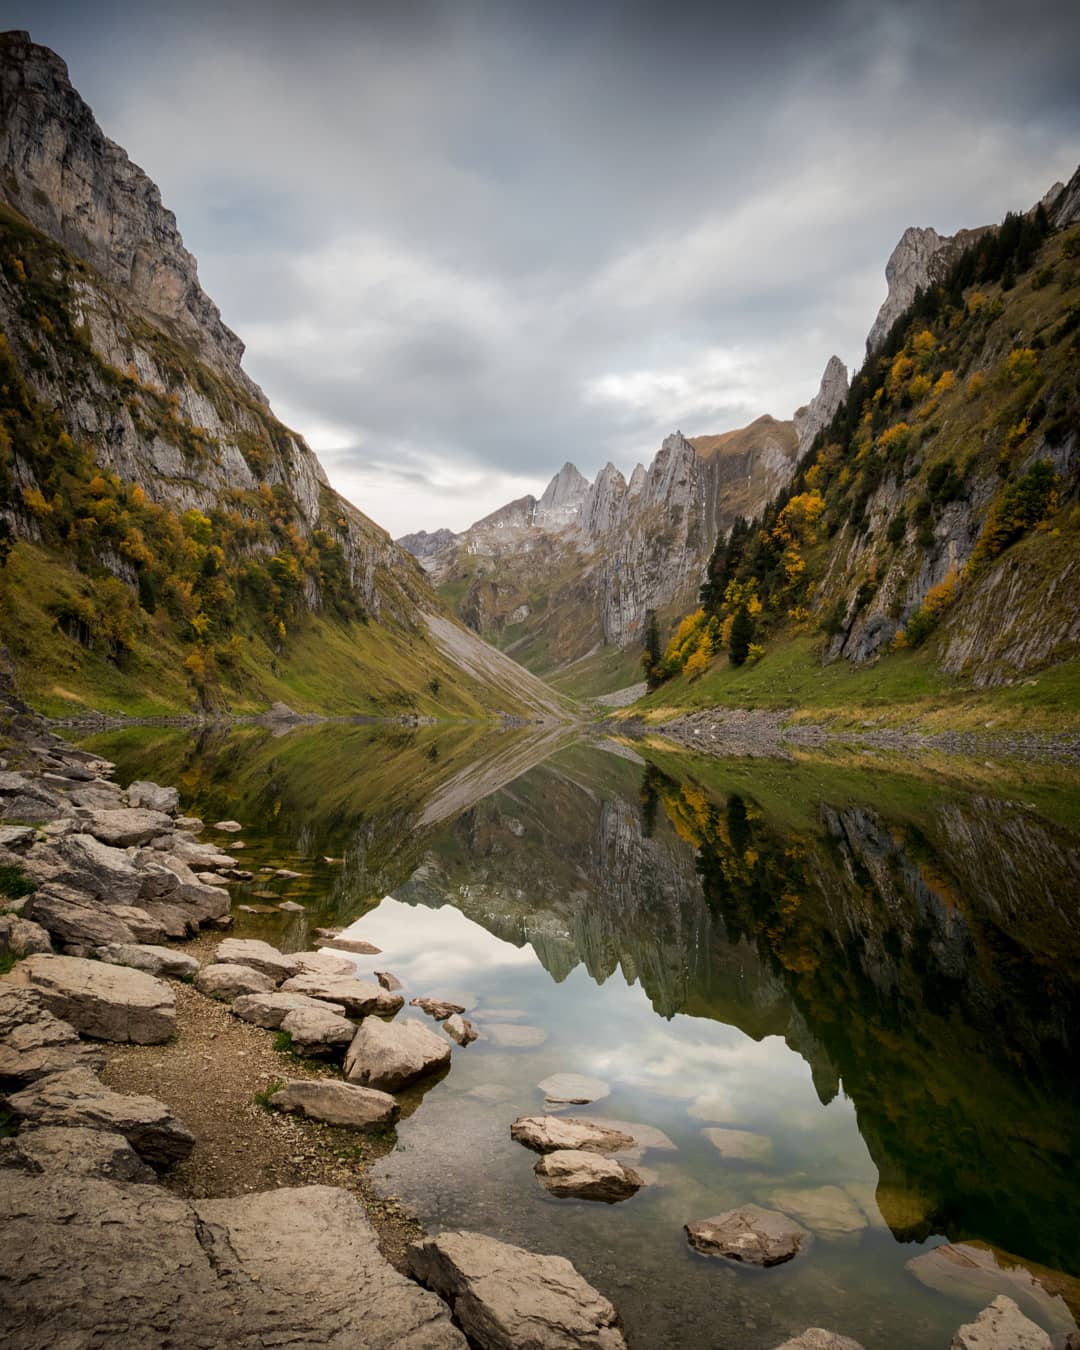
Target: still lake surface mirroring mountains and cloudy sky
column 871, row 970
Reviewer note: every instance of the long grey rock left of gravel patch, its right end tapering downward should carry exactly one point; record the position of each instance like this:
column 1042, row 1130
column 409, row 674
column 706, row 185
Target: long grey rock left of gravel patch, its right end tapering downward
column 79, row 1100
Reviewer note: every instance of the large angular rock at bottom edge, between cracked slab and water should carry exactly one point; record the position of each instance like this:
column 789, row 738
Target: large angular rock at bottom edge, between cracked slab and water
column 506, row 1298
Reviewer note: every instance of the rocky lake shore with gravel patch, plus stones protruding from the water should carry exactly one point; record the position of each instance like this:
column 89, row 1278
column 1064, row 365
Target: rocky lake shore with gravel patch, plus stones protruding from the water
column 190, row 1117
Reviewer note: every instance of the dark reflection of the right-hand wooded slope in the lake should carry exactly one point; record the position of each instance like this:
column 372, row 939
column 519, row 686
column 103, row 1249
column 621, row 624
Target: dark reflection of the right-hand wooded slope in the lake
column 938, row 969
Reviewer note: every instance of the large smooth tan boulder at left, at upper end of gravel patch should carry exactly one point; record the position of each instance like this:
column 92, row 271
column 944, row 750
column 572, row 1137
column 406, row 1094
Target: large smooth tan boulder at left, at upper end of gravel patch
column 106, row 1002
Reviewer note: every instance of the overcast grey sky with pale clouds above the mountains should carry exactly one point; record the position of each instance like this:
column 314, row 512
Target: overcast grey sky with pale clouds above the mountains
column 466, row 242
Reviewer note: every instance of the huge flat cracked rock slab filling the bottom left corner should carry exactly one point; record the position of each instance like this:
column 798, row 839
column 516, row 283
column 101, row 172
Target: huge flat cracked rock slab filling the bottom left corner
column 87, row 1262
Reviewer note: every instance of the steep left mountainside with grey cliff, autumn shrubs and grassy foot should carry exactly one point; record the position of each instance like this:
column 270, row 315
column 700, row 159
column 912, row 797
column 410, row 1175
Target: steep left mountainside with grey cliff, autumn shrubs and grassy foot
column 136, row 454
